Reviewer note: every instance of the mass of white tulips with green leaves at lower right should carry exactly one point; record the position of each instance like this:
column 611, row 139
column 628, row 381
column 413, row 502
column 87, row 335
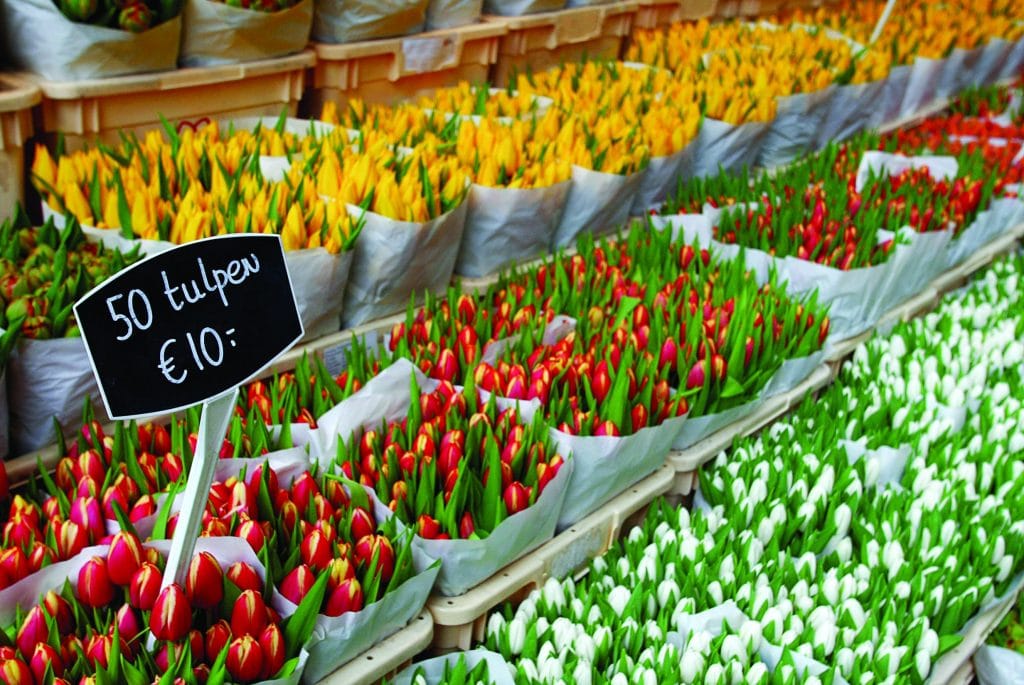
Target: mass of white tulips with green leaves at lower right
column 851, row 543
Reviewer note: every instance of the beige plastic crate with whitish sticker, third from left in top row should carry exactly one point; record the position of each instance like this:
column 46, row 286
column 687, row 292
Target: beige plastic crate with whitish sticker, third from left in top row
column 394, row 70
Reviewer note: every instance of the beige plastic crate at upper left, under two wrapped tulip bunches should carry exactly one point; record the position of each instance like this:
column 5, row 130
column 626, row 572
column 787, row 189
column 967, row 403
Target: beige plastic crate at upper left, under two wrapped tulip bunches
column 88, row 110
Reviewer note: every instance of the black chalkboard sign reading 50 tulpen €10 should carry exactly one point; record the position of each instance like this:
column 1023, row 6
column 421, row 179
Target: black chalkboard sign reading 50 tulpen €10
column 190, row 324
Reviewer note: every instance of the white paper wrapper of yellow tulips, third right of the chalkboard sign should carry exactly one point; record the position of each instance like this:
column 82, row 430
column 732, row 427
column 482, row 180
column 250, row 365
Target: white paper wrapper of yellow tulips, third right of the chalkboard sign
column 504, row 226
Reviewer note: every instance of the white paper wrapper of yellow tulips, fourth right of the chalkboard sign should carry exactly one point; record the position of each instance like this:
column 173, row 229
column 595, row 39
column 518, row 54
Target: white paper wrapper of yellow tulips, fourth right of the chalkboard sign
column 598, row 203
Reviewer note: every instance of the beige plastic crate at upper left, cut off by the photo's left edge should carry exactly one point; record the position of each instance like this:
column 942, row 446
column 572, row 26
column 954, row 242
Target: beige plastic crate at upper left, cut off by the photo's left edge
column 17, row 101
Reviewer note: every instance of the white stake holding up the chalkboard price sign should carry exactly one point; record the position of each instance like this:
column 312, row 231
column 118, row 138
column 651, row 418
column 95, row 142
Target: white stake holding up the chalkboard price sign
column 212, row 427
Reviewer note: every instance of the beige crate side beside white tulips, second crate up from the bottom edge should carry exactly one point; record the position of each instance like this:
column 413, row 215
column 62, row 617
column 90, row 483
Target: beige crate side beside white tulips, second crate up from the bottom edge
column 459, row 622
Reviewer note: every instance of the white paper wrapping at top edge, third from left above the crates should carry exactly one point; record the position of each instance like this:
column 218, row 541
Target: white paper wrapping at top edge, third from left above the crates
column 352, row 21
